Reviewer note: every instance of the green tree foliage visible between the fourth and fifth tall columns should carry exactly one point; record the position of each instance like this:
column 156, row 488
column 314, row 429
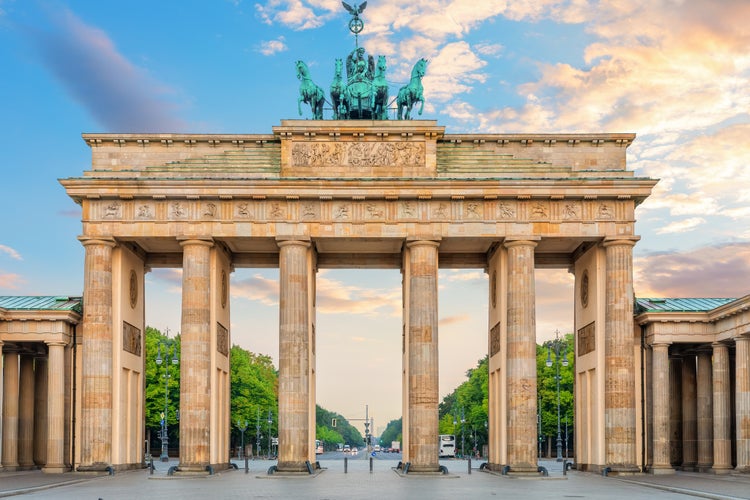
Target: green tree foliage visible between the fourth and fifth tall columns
column 468, row 402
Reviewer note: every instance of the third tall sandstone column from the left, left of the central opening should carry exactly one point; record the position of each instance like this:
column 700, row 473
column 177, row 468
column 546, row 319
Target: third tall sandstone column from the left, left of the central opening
column 294, row 360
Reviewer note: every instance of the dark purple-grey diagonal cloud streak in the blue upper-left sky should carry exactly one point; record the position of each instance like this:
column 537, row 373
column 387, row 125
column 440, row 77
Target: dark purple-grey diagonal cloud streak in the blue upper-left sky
column 119, row 95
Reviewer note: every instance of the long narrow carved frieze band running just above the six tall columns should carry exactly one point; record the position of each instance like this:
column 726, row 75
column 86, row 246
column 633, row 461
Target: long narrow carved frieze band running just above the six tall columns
column 360, row 210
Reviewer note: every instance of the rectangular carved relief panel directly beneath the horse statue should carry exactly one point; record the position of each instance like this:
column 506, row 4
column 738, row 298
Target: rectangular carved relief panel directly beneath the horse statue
column 358, row 154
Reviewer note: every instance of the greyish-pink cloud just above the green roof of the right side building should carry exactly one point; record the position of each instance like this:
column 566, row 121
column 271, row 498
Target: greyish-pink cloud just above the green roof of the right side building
column 711, row 271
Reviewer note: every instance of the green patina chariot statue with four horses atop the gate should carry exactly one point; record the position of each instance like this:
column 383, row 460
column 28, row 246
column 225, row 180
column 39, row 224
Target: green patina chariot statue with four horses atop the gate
column 364, row 95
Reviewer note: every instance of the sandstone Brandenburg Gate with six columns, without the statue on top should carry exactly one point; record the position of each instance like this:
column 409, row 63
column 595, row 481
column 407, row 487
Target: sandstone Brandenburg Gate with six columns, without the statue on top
column 398, row 194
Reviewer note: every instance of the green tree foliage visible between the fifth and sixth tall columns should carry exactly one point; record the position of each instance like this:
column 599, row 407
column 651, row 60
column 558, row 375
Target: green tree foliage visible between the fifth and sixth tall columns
column 547, row 385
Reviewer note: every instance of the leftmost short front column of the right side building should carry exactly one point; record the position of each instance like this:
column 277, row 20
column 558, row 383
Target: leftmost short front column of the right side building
column 660, row 390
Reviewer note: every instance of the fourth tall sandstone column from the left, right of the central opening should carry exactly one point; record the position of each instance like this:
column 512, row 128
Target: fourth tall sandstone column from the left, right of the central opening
column 423, row 356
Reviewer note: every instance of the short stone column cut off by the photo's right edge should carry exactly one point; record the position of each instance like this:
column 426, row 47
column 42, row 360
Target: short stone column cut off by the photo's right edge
column 742, row 402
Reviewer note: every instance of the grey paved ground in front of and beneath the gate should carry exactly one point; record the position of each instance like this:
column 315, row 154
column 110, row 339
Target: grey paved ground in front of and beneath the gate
column 359, row 483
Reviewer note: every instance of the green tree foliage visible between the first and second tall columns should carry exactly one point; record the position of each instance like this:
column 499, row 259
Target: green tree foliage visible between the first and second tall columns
column 156, row 386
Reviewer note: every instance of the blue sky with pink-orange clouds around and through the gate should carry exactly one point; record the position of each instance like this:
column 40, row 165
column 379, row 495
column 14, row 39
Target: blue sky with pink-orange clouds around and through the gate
column 675, row 72
